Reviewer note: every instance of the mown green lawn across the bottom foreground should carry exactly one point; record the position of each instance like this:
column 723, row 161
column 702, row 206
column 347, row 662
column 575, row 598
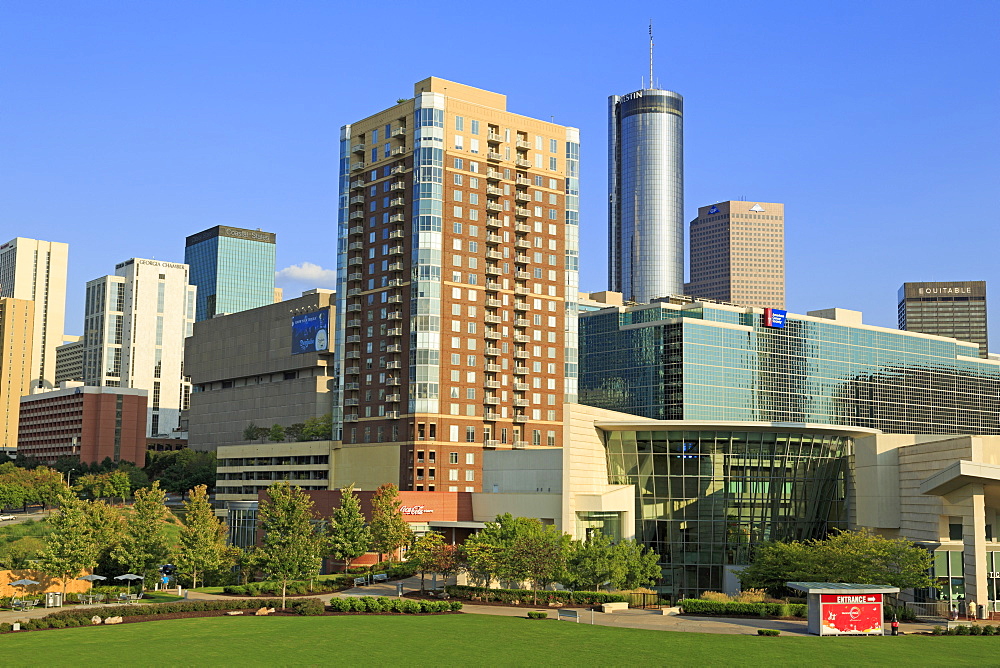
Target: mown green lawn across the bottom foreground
column 462, row 639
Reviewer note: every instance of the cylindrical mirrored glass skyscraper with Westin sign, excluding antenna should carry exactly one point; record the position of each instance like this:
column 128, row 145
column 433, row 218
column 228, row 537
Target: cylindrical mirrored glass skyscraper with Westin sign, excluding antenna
column 646, row 194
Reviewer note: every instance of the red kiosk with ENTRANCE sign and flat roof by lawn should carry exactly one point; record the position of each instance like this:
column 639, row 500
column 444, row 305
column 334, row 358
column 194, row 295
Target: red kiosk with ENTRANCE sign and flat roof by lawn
column 838, row 608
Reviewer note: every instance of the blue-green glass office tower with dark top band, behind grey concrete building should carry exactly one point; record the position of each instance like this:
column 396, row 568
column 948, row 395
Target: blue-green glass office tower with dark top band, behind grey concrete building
column 233, row 269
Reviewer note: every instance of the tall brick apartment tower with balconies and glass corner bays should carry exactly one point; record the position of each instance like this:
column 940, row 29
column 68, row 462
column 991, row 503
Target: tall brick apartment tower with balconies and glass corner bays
column 457, row 280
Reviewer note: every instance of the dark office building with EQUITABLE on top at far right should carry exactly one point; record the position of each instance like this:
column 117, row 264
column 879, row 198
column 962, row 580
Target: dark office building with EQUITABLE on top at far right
column 956, row 310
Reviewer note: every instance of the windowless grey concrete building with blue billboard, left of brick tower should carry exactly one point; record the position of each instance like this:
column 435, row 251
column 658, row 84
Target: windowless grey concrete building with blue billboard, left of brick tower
column 252, row 367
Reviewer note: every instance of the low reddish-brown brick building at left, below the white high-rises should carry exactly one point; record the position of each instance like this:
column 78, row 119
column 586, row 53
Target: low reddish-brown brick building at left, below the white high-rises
column 92, row 423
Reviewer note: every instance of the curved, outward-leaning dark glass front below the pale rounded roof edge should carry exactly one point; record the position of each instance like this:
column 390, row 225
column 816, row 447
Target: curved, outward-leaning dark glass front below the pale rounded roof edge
column 705, row 497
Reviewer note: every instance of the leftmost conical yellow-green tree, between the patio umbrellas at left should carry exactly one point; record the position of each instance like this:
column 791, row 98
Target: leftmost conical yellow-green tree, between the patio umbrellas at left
column 70, row 547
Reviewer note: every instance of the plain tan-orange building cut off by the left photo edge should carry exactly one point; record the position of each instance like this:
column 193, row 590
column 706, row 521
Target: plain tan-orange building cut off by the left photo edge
column 17, row 322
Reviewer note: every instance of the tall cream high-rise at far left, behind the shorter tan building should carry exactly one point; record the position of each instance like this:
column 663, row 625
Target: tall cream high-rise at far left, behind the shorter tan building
column 36, row 270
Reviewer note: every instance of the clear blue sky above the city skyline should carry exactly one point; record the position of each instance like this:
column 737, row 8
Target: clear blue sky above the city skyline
column 125, row 127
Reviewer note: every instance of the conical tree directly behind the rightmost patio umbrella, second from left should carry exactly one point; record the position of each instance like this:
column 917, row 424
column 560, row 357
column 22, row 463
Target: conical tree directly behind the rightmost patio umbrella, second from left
column 144, row 547
